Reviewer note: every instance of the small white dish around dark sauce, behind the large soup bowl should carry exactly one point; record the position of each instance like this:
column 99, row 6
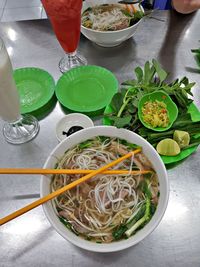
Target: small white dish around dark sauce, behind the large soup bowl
column 70, row 120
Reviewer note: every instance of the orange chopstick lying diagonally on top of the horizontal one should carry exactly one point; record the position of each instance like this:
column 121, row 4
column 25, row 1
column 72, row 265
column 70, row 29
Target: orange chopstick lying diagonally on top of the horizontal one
column 65, row 188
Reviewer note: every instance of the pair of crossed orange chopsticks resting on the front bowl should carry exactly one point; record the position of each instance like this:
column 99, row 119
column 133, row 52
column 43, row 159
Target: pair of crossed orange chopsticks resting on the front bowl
column 90, row 174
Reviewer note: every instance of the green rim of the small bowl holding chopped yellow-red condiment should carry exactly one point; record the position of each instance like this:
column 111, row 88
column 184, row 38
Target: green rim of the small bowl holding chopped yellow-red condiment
column 172, row 103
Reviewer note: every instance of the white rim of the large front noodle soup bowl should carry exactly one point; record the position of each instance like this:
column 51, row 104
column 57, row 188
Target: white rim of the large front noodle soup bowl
column 114, row 246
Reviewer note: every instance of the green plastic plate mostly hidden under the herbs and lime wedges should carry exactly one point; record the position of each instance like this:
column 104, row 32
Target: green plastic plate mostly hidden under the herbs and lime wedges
column 195, row 114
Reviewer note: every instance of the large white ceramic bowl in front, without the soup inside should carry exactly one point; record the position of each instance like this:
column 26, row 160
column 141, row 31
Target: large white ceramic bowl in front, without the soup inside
column 148, row 150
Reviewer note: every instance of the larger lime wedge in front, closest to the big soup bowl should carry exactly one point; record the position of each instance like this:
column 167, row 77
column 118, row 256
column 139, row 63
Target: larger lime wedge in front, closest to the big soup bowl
column 168, row 147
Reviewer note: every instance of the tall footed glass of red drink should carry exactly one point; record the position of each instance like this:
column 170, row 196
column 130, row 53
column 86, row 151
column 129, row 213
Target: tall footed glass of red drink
column 65, row 17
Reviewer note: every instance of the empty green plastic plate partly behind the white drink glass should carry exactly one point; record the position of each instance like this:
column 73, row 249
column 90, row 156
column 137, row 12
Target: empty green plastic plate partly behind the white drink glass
column 35, row 86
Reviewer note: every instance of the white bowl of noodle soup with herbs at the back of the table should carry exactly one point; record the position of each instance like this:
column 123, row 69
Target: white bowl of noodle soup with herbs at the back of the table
column 108, row 23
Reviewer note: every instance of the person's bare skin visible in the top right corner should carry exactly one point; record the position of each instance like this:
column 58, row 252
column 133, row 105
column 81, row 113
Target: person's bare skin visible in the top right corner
column 186, row 6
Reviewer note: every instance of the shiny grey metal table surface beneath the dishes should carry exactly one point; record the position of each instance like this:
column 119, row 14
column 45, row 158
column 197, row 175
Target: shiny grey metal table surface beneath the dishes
column 30, row 240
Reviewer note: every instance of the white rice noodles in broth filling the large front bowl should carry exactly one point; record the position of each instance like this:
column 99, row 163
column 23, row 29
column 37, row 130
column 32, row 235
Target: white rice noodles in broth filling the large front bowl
column 97, row 207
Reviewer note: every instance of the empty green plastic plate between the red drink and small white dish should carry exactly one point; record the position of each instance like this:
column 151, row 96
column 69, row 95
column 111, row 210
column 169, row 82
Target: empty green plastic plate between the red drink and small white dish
column 86, row 88
